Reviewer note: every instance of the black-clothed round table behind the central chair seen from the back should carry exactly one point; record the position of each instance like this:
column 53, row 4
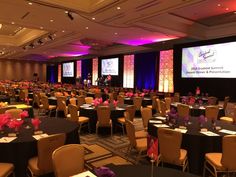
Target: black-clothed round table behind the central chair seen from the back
column 91, row 112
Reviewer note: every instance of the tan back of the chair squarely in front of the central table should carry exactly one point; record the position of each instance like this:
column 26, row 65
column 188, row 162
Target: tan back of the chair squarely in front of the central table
column 103, row 113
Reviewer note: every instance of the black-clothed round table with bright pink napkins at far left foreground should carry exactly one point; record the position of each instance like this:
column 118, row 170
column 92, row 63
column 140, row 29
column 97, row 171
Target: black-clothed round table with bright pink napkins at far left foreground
column 20, row 150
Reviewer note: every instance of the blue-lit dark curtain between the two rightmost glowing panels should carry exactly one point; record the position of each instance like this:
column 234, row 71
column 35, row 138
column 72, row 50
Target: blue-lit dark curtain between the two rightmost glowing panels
column 145, row 68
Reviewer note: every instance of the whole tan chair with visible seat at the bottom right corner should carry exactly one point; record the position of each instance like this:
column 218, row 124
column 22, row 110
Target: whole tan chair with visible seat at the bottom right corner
column 222, row 162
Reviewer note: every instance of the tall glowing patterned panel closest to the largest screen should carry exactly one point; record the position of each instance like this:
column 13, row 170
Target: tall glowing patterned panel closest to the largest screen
column 166, row 71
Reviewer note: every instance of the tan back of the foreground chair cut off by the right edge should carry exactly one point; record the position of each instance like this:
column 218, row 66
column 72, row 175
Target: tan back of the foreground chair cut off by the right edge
column 228, row 152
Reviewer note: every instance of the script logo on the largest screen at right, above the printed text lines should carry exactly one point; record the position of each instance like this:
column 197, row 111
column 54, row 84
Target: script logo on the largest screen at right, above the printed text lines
column 206, row 56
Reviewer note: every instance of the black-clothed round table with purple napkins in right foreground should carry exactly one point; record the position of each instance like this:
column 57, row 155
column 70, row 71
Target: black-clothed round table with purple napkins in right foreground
column 196, row 143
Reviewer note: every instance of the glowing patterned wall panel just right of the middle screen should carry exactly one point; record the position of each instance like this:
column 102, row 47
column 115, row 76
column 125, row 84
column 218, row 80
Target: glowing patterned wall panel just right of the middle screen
column 128, row 76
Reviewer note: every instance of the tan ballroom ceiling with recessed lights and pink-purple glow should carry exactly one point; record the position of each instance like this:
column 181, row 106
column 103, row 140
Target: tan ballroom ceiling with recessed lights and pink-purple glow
column 52, row 28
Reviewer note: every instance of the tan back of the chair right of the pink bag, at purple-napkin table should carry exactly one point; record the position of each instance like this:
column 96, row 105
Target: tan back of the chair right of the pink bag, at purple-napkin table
column 169, row 143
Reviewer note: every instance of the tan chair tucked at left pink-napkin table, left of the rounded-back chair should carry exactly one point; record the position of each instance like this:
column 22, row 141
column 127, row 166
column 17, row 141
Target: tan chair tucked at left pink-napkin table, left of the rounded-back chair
column 42, row 164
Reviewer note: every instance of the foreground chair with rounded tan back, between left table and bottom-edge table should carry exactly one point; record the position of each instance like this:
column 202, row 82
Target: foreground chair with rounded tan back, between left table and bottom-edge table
column 68, row 160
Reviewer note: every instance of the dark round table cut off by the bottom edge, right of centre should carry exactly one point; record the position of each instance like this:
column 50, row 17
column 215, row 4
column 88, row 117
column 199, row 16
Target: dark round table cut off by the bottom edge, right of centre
column 145, row 170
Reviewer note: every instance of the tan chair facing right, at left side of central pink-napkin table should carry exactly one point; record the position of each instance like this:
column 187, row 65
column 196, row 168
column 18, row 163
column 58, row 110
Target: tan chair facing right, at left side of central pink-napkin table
column 74, row 117
